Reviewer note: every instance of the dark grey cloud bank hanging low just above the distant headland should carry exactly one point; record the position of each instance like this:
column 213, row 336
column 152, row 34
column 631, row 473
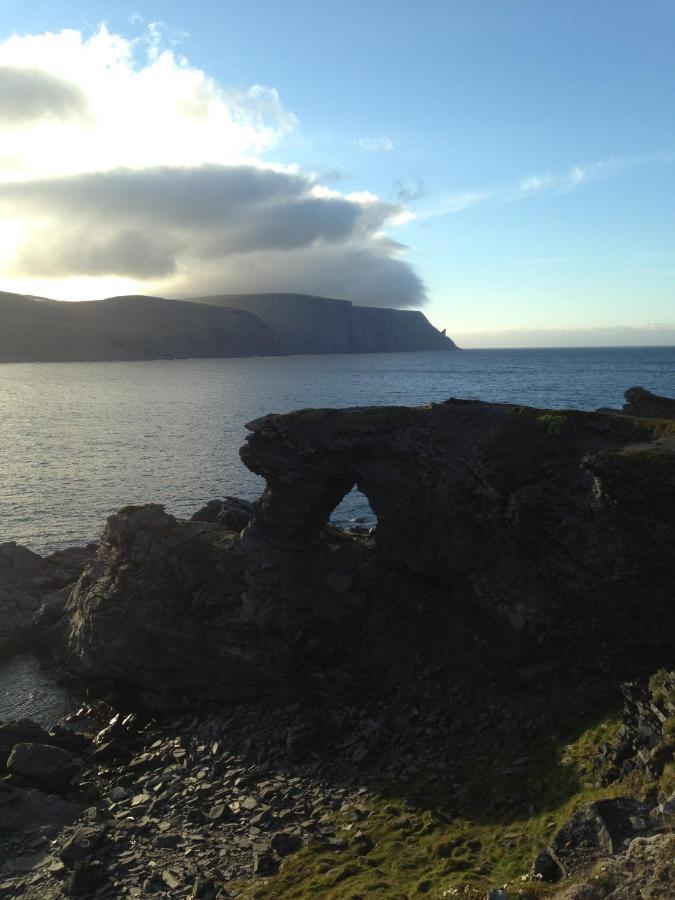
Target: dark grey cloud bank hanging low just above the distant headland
column 211, row 229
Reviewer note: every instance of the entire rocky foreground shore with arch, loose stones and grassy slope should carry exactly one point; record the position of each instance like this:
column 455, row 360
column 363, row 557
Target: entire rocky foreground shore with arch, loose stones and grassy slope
column 476, row 698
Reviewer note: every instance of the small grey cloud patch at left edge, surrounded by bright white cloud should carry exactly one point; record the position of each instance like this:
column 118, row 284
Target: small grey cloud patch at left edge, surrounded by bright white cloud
column 29, row 94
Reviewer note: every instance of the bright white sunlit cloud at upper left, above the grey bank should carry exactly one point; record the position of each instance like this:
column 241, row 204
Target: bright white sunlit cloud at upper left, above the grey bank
column 160, row 110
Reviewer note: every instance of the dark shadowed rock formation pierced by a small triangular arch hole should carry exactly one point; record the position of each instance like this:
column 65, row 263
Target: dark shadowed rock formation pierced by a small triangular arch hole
column 535, row 529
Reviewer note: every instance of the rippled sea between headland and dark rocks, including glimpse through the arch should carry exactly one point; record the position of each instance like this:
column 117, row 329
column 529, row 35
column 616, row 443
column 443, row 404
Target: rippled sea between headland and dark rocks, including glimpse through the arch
column 78, row 440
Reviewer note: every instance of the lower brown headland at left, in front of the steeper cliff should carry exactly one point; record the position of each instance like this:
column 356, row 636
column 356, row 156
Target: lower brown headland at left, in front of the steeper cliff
column 126, row 328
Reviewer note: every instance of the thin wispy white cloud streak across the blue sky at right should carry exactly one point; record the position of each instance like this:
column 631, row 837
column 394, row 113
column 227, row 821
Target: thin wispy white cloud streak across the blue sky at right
column 543, row 185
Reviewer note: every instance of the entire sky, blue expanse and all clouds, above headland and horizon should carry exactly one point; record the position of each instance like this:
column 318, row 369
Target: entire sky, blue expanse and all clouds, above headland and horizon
column 507, row 166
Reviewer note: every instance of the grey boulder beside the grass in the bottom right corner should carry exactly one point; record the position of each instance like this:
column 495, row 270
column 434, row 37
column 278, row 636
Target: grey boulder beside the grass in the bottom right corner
column 601, row 829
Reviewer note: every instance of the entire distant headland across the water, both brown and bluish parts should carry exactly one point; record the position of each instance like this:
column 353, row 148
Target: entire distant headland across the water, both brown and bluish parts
column 137, row 327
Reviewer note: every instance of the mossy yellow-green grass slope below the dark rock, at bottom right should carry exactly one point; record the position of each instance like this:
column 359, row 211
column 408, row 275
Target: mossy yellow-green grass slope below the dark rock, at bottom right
column 481, row 828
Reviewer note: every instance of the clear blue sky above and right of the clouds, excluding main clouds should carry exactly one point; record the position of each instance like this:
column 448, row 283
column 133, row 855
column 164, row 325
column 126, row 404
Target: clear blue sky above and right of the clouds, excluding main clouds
column 531, row 145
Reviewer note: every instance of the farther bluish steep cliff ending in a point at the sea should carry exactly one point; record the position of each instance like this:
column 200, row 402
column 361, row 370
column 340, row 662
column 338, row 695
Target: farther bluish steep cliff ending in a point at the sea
column 322, row 325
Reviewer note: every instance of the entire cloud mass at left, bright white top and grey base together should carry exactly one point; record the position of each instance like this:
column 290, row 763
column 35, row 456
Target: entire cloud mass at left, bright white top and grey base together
column 131, row 166
